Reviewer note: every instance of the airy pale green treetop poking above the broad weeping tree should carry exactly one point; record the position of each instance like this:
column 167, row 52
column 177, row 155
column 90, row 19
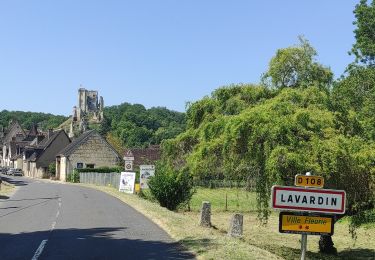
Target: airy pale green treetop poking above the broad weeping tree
column 295, row 67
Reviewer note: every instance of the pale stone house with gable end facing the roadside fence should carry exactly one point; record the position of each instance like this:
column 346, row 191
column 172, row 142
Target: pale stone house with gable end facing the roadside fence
column 89, row 150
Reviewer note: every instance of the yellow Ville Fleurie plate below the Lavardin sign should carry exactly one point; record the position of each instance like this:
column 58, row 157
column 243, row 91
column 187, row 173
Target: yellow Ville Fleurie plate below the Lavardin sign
column 310, row 225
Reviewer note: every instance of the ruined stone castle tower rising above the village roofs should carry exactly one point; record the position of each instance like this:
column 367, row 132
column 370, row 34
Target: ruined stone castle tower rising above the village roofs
column 89, row 110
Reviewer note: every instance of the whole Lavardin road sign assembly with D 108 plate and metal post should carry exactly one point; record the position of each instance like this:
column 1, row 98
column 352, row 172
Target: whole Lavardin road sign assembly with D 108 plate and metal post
column 308, row 202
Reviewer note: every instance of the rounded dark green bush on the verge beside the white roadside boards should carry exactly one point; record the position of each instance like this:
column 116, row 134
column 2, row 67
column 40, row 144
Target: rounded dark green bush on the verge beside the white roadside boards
column 171, row 188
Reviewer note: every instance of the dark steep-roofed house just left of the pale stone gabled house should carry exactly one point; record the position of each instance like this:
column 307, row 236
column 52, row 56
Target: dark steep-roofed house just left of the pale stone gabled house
column 42, row 152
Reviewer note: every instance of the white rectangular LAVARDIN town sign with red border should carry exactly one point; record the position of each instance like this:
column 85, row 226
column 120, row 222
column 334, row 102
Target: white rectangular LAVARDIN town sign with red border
column 313, row 200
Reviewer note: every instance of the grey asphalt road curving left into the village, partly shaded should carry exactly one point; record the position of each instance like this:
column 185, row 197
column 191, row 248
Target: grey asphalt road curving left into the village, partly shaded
column 44, row 220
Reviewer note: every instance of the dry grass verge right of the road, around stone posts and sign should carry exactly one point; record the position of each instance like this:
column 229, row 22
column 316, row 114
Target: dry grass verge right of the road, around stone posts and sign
column 258, row 242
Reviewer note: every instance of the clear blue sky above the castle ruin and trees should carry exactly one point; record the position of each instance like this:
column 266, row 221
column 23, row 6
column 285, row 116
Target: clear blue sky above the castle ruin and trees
column 155, row 53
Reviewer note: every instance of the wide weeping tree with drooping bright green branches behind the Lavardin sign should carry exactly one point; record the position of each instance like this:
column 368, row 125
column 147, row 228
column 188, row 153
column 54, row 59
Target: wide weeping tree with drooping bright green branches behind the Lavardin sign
column 247, row 131
